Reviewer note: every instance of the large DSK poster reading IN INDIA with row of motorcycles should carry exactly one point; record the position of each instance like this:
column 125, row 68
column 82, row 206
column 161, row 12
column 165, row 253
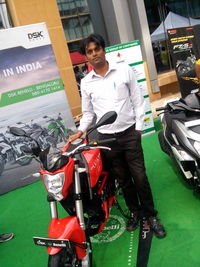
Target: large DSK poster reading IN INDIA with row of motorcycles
column 32, row 97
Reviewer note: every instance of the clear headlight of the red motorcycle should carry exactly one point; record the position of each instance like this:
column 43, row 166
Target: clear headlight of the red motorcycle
column 54, row 184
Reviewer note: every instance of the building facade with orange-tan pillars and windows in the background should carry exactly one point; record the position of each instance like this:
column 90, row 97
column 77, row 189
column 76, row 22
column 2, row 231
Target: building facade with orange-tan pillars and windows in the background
column 118, row 21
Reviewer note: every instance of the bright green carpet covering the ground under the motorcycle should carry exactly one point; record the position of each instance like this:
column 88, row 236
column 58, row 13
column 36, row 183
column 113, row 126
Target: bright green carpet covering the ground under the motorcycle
column 25, row 212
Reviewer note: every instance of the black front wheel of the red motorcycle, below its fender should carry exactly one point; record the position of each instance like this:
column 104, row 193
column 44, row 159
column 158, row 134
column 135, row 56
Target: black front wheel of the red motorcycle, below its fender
column 65, row 258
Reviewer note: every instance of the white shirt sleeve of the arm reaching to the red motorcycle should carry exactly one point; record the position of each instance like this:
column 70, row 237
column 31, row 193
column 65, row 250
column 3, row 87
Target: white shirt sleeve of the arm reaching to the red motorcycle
column 87, row 109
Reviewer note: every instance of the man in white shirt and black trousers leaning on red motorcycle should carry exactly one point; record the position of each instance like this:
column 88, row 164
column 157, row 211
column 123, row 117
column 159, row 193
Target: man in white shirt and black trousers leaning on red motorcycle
column 114, row 87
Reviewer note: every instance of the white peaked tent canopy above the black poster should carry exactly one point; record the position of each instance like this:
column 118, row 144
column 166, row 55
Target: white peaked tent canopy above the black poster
column 172, row 21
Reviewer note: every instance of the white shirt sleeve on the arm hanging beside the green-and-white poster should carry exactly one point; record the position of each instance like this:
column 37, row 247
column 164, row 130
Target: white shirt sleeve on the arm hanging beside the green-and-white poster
column 137, row 99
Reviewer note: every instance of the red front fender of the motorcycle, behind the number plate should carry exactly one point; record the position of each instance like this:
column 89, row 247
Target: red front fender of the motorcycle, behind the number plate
column 67, row 228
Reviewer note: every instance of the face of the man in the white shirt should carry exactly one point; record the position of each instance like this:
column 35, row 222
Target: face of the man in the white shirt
column 95, row 54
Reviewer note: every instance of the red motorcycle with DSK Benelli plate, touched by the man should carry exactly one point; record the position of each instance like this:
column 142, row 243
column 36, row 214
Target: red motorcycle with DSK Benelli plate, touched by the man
column 75, row 177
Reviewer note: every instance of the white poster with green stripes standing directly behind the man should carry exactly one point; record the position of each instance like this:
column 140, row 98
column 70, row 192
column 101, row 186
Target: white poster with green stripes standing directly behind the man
column 132, row 55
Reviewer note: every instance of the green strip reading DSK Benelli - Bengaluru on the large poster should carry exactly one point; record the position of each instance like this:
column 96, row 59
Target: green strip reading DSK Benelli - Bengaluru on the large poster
column 30, row 92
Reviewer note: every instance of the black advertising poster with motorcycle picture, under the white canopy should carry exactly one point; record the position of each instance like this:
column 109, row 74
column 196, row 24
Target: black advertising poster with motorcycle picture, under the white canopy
column 184, row 51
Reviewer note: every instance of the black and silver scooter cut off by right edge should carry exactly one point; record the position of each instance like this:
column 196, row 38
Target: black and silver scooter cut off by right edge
column 180, row 136
